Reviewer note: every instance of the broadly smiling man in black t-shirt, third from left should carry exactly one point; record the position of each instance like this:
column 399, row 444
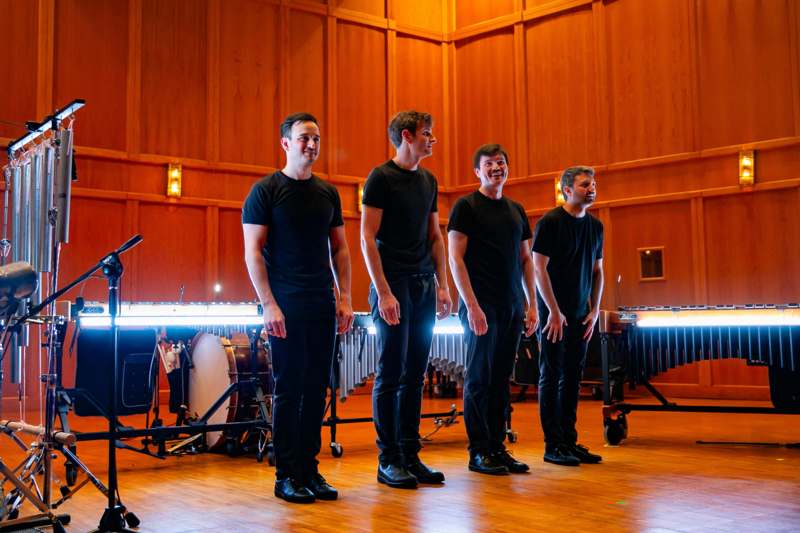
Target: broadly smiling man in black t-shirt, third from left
column 490, row 258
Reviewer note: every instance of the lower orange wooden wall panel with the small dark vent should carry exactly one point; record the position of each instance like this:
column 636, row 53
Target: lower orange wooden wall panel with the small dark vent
column 667, row 225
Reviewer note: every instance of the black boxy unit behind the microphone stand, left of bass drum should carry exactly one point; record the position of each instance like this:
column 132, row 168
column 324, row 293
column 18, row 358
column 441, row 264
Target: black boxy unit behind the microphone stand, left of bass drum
column 136, row 376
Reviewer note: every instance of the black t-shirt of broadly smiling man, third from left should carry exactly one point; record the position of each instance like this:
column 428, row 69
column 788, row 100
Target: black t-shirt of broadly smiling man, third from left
column 494, row 230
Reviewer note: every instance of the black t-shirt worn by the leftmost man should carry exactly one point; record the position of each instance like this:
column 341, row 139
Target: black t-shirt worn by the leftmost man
column 299, row 215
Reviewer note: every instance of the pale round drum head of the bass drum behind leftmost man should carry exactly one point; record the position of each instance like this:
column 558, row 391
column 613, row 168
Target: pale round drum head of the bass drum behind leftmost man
column 208, row 380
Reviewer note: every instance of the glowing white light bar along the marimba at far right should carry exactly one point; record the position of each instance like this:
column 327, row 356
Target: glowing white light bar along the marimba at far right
column 718, row 318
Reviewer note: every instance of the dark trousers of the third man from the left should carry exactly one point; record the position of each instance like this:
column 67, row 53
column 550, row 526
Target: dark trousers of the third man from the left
column 490, row 361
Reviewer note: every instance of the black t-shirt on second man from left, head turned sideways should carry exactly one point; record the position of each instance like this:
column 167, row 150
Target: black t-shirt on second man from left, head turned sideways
column 407, row 198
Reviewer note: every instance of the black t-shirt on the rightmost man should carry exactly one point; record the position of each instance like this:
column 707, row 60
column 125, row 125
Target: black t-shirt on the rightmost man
column 573, row 245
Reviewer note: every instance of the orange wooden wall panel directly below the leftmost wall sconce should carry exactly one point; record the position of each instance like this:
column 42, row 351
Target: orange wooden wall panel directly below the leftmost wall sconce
column 173, row 253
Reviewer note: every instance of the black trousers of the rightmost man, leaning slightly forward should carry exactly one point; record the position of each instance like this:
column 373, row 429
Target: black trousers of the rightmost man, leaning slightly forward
column 560, row 370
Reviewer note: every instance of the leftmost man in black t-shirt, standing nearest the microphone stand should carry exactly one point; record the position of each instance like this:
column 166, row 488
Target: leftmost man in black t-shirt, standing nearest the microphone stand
column 295, row 248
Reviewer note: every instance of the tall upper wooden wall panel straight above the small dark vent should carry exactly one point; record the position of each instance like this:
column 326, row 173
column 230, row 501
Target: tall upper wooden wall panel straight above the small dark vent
column 650, row 78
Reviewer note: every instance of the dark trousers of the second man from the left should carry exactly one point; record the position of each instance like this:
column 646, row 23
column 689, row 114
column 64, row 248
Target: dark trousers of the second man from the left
column 403, row 359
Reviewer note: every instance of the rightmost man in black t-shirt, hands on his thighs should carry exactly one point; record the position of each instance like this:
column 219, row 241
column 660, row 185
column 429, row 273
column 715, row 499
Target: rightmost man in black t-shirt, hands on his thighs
column 568, row 255
